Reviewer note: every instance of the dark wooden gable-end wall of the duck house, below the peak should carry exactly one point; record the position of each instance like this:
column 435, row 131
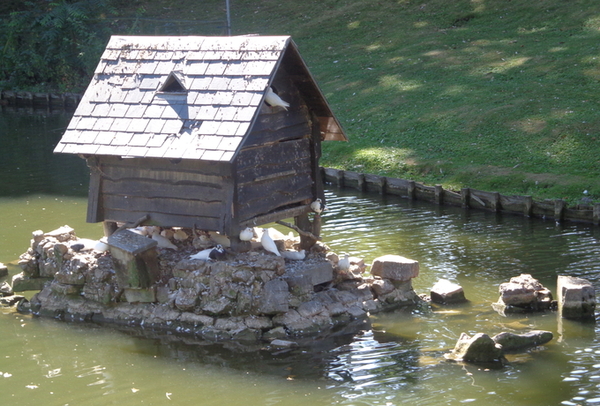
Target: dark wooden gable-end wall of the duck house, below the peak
column 273, row 168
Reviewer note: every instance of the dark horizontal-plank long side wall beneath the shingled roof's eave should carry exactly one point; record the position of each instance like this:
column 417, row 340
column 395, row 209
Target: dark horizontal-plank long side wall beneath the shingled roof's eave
column 186, row 193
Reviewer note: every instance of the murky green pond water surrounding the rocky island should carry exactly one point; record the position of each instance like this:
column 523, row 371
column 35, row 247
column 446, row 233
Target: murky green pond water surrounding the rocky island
column 396, row 359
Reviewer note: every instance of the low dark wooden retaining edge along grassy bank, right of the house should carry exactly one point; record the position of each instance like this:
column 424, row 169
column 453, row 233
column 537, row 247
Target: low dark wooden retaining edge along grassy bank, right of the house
column 468, row 198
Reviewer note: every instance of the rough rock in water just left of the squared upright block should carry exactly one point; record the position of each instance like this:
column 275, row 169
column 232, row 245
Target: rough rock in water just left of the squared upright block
column 522, row 294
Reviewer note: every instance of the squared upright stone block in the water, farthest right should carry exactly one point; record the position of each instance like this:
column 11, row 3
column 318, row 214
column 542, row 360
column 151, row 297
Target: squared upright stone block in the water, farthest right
column 576, row 297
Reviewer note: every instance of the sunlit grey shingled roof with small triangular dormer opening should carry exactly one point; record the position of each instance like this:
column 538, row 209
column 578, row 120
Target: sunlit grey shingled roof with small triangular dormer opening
column 183, row 97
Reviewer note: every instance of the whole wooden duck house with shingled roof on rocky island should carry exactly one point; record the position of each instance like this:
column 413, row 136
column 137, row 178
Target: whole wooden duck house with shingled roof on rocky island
column 178, row 129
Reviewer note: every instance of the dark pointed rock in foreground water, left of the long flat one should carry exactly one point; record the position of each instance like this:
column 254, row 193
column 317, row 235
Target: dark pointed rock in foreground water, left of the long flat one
column 479, row 348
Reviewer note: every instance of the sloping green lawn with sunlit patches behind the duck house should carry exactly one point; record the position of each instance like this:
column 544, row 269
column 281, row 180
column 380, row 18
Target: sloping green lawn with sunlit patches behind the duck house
column 495, row 95
